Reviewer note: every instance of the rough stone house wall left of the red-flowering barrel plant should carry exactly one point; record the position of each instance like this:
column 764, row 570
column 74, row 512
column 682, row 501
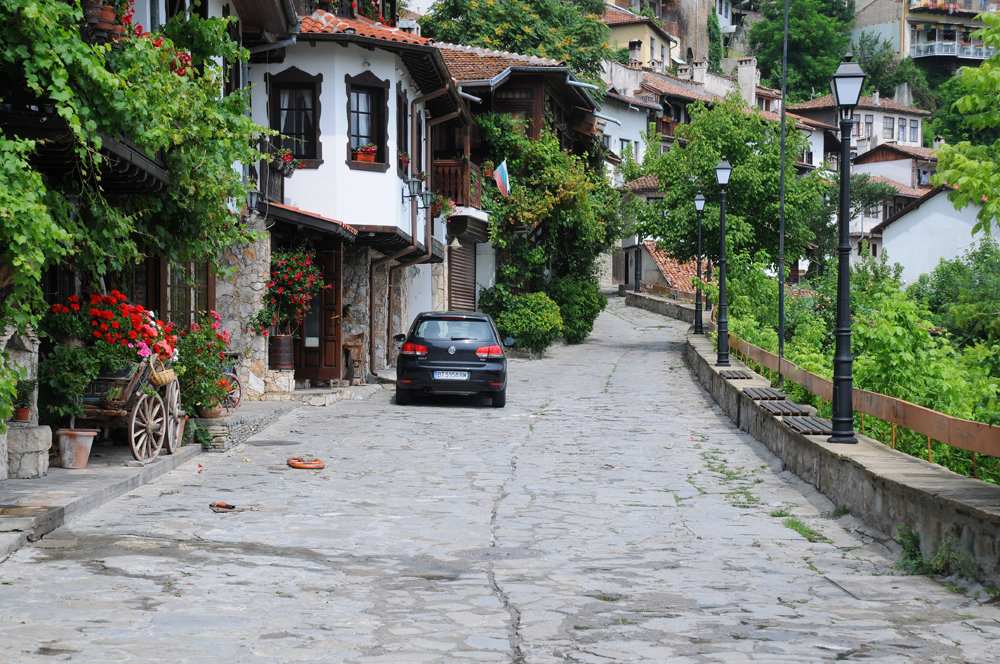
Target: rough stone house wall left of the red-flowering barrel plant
column 237, row 298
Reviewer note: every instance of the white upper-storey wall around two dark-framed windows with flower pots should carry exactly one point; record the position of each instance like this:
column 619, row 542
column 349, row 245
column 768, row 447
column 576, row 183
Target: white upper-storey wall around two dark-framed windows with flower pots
column 333, row 190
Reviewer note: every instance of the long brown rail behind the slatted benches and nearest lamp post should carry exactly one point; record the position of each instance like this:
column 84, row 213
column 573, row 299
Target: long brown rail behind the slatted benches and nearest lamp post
column 975, row 437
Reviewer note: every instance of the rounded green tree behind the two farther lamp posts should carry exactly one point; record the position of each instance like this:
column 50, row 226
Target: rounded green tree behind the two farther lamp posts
column 752, row 145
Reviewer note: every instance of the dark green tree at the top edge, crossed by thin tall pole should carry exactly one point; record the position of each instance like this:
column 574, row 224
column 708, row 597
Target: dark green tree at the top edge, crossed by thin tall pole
column 817, row 38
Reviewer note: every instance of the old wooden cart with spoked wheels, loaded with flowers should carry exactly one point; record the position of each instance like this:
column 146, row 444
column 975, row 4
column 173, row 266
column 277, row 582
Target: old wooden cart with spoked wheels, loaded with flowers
column 145, row 400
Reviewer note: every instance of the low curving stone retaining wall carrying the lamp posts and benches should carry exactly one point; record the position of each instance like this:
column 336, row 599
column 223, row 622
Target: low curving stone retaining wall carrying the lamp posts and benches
column 883, row 487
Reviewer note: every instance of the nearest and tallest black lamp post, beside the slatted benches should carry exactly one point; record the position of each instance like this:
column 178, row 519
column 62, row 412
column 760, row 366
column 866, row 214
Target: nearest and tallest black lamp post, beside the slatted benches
column 846, row 86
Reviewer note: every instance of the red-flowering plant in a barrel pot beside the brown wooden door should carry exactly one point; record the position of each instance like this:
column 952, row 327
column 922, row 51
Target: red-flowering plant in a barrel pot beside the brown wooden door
column 295, row 280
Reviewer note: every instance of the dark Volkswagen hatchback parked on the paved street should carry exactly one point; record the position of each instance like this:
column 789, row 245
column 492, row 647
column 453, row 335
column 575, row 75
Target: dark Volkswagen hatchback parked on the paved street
column 455, row 352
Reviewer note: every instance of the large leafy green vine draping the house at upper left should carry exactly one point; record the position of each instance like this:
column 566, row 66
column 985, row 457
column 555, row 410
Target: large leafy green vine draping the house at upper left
column 165, row 93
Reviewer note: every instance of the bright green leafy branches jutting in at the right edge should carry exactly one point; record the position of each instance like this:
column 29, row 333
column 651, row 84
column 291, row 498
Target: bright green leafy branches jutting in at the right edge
column 974, row 169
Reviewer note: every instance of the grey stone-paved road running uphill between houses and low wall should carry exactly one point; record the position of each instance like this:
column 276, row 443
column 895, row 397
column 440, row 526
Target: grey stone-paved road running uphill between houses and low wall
column 610, row 513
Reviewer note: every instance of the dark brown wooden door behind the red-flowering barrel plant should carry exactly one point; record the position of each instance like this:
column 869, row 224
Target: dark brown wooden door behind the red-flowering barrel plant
column 318, row 353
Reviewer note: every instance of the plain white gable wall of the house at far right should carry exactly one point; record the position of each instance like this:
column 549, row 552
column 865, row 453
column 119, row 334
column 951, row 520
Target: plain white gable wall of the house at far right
column 922, row 237
